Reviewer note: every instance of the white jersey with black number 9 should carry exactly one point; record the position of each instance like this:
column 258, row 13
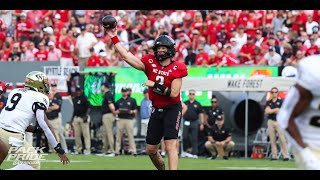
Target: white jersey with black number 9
column 20, row 109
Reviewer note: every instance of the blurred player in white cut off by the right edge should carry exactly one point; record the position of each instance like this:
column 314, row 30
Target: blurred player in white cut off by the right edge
column 299, row 115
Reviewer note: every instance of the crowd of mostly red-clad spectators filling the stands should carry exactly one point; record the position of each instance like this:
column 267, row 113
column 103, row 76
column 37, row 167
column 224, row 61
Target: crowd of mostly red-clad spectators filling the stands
column 203, row 37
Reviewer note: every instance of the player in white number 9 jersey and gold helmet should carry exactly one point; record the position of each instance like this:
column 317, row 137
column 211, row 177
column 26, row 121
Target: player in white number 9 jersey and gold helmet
column 23, row 105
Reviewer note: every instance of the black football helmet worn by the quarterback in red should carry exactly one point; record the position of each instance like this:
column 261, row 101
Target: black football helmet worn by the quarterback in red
column 166, row 41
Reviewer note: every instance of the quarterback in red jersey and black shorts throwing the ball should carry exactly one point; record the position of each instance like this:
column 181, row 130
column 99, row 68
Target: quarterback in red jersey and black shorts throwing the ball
column 164, row 82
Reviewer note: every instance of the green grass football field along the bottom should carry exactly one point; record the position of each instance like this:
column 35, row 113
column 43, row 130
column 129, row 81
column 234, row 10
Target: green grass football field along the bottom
column 127, row 162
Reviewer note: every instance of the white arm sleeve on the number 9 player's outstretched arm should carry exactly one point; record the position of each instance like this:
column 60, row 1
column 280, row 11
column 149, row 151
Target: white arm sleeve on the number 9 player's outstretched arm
column 40, row 118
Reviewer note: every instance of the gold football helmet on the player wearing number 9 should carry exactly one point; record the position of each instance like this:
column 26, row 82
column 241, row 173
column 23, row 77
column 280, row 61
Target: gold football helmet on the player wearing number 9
column 38, row 81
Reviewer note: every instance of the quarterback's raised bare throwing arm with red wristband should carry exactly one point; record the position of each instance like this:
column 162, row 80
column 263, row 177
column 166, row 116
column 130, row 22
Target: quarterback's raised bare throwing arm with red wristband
column 128, row 57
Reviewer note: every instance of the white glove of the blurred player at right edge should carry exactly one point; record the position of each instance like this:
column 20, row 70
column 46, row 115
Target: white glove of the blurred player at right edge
column 310, row 160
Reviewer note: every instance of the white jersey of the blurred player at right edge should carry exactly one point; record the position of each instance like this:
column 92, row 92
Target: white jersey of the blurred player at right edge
column 308, row 122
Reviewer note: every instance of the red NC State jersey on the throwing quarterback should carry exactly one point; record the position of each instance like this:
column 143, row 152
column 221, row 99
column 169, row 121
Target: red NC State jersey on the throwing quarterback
column 163, row 75
